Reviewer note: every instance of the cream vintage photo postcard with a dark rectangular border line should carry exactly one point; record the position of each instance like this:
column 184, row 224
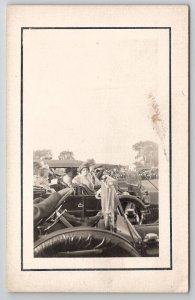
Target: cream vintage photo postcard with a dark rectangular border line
column 97, row 148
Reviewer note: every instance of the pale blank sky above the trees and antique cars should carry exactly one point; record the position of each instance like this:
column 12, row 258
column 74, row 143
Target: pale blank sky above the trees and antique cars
column 87, row 91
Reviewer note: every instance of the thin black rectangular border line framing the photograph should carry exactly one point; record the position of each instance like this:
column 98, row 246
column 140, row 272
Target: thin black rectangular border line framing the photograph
column 170, row 149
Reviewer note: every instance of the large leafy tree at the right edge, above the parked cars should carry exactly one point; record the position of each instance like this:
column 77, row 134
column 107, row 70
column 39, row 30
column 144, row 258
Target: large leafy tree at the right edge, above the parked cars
column 147, row 153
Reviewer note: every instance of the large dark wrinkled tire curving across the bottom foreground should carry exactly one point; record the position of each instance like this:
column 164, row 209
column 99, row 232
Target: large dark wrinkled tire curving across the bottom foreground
column 84, row 242
